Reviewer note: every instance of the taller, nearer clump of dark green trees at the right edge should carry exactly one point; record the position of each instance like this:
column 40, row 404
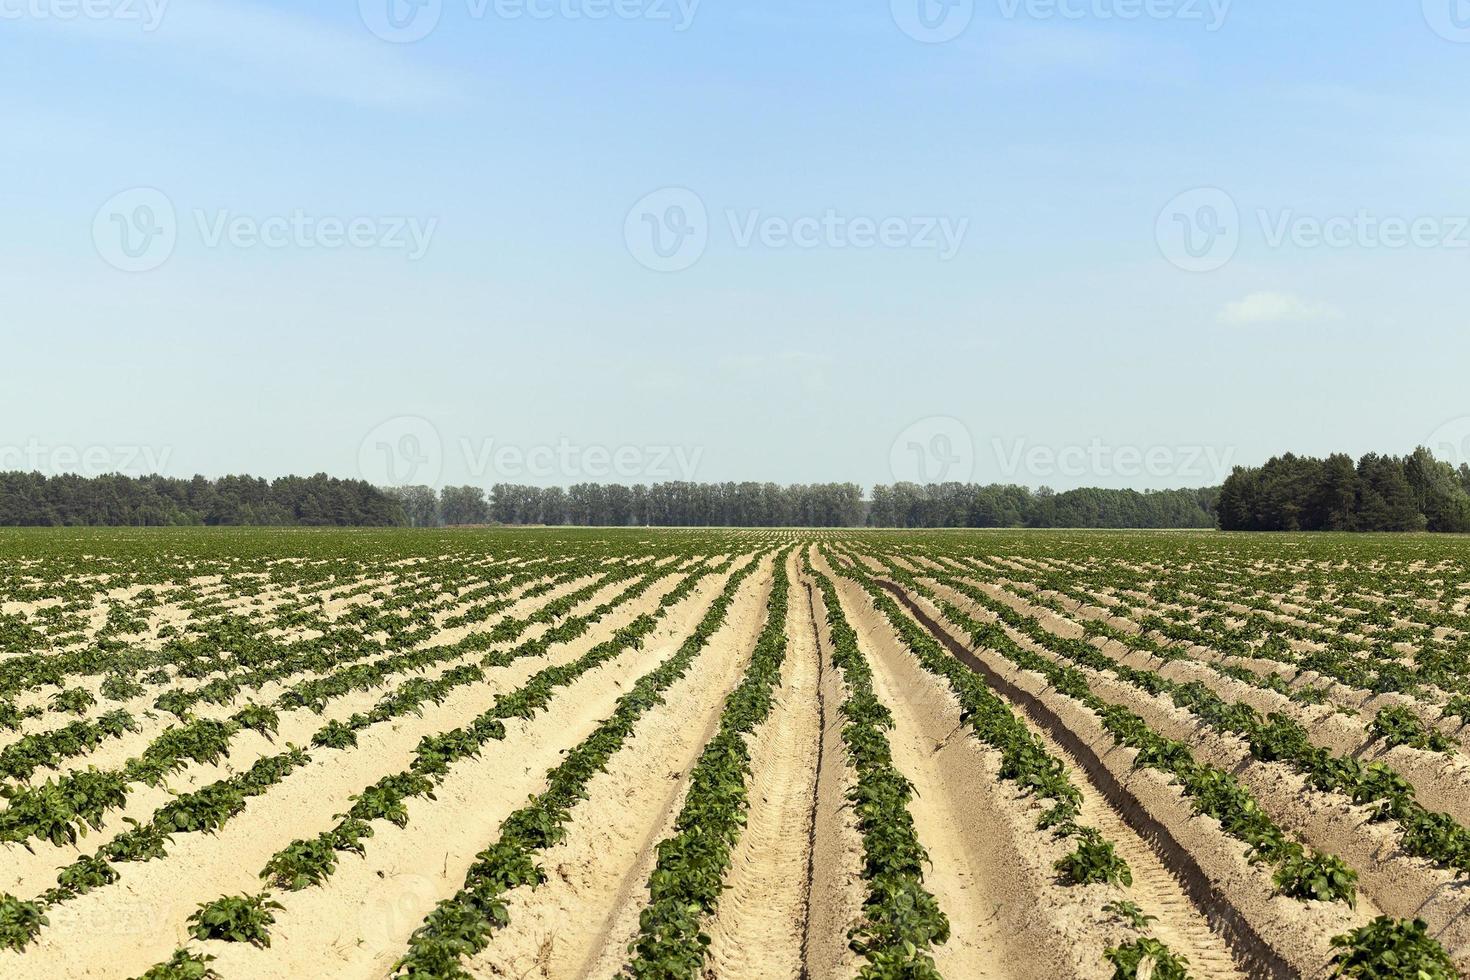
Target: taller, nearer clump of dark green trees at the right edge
column 1378, row 493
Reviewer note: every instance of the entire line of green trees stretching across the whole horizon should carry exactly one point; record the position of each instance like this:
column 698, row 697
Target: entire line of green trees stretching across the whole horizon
column 1291, row 493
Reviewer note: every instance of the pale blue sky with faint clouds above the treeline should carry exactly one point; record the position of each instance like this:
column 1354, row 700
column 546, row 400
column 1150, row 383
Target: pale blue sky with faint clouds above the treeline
column 1080, row 243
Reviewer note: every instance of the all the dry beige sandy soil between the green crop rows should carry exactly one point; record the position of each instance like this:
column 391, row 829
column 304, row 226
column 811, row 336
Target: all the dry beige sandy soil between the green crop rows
column 799, row 872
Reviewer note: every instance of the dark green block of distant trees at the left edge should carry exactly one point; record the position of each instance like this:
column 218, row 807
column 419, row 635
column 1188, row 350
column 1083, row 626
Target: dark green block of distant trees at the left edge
column 36, row 500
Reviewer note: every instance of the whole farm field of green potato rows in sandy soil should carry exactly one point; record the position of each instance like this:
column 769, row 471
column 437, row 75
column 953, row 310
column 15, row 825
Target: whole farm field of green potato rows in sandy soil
column 747, row 754
